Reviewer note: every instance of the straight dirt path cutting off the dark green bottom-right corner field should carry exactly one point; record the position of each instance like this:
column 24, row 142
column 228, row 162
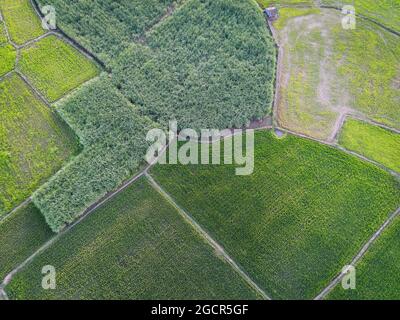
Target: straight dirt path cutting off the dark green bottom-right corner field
column 359, row 255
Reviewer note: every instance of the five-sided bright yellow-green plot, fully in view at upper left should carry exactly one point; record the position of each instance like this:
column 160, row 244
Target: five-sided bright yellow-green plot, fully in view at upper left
column 55, row 67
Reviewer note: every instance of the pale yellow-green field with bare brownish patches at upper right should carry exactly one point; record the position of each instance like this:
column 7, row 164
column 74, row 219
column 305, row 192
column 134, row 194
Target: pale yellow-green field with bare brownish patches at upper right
column 325, row 69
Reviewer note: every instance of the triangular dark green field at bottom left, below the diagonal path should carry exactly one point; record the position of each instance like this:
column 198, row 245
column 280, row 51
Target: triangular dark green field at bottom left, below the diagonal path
column 136, row 246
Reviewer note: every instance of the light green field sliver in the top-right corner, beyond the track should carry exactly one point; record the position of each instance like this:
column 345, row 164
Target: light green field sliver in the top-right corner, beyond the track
column 386, row 12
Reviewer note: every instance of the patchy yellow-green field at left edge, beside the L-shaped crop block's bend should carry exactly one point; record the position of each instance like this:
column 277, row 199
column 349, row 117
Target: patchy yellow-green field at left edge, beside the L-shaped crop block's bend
column 33, row 142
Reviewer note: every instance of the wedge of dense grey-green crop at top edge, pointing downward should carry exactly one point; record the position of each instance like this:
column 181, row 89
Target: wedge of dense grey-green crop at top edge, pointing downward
column 106, row 27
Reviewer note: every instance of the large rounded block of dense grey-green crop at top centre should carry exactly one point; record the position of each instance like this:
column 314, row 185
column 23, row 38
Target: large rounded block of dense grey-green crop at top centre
column 211, row 66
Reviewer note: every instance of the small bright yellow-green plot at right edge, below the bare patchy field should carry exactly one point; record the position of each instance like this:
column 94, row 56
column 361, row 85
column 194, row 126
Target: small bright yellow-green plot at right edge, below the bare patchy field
column 373, row 142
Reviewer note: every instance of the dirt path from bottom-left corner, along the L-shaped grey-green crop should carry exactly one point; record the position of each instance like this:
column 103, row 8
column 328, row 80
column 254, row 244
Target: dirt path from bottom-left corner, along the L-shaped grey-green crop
column 85, row 214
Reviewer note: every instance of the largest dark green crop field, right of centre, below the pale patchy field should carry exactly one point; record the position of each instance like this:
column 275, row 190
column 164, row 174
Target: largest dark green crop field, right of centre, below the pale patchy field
column 297, row 220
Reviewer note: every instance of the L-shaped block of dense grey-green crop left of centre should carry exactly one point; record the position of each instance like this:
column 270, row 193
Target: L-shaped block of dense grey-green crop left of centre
column 113, row 135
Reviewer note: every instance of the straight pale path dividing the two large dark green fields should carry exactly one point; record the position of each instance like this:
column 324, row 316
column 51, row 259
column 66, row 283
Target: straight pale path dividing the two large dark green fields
column 206, row 237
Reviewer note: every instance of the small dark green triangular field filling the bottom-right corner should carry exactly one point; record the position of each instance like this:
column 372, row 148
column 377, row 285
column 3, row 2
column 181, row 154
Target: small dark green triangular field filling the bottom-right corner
column 378, row 273
